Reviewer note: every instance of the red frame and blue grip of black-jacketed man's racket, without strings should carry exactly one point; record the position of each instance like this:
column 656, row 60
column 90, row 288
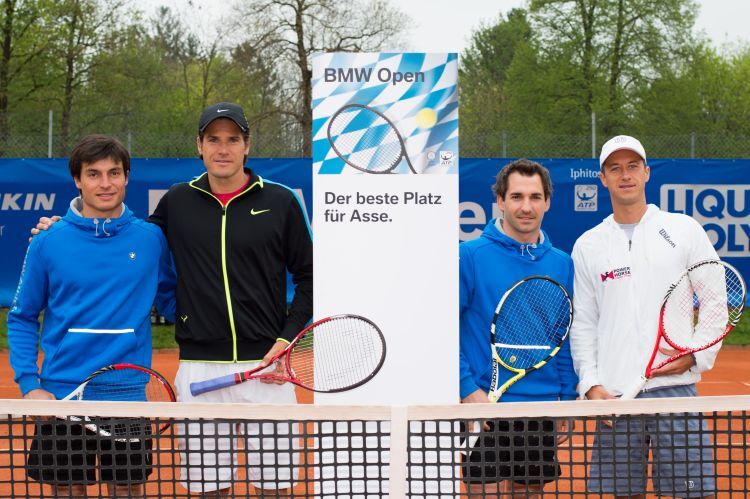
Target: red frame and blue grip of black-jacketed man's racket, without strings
column 199, row 387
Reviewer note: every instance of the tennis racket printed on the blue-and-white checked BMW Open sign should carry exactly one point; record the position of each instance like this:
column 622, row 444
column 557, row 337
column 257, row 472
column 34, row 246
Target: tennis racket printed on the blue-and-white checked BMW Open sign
column 366, row 140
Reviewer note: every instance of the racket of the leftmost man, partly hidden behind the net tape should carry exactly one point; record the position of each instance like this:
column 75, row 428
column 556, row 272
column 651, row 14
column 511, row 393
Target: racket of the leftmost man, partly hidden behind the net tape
column 124, row 383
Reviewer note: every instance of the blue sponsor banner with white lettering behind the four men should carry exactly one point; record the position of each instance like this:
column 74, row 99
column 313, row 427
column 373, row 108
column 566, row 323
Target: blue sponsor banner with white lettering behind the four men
column 714, row 192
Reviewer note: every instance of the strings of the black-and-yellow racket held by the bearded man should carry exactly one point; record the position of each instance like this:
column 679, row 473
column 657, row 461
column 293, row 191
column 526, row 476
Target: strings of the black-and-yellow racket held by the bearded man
column 532, row 321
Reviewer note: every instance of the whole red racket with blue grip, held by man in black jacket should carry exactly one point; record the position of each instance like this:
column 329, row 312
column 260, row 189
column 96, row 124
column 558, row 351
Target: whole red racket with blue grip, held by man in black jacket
column 331, row 355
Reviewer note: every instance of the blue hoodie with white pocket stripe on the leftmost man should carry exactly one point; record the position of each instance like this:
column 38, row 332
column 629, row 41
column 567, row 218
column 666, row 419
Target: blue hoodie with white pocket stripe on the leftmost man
column 96, row 280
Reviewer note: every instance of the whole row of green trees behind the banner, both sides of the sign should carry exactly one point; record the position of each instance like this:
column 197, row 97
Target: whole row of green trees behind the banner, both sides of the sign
column 529, row 82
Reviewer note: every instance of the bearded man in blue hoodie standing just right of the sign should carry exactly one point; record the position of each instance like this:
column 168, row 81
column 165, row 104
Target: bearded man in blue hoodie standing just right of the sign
column 509, row 250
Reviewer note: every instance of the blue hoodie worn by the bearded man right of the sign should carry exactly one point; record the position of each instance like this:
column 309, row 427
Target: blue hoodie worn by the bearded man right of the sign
column 489, row 266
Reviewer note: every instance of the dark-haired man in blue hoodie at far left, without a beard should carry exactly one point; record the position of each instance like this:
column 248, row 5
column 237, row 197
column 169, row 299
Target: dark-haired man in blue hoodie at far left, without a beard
column 93, row 275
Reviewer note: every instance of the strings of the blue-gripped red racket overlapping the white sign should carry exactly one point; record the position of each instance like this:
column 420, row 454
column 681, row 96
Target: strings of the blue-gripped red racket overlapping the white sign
column 337, row 354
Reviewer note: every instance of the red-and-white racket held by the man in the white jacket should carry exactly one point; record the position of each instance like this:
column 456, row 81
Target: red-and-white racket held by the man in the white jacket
column 698, row 311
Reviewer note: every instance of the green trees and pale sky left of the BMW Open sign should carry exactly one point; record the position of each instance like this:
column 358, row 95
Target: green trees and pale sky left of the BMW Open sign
column 102, row 66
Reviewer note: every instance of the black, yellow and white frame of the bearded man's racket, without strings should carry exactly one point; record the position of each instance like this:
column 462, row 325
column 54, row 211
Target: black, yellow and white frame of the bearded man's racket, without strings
column 496, row 392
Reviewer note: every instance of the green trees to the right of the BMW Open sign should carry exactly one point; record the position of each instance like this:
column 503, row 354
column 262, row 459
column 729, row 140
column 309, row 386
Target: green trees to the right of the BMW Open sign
column 635, row 64
